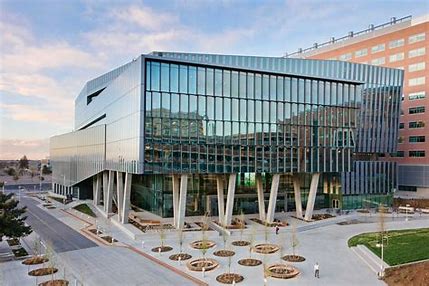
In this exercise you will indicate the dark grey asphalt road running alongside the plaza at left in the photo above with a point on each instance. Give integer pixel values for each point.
(59, 235)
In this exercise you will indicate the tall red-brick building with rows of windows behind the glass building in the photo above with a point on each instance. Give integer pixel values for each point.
(403, 44)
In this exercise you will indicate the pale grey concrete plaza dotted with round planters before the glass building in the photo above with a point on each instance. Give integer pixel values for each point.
(131, 262)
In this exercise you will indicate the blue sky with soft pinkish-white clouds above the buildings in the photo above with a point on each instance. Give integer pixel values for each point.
(50, 48)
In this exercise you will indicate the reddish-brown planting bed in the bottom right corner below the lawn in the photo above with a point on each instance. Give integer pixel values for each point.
(411, 274)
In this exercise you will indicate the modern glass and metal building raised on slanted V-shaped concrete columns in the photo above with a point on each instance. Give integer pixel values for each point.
(171, 132)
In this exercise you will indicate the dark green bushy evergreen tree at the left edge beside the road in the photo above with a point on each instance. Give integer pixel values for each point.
(12, 221)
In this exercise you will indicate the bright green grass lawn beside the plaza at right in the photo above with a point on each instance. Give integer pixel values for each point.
(402, 246)
